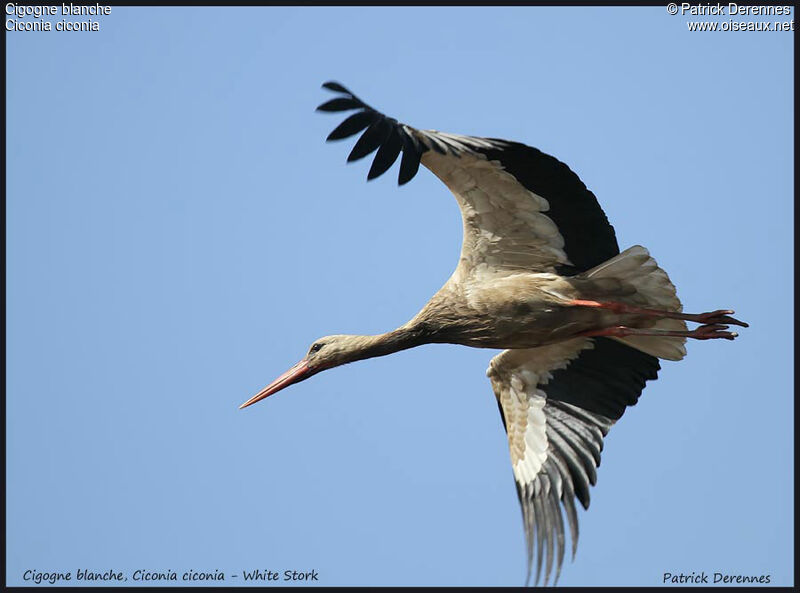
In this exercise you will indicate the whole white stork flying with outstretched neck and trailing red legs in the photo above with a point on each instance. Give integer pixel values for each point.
(541, 276)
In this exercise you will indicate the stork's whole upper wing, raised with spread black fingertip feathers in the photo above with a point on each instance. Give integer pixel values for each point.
(522, 209)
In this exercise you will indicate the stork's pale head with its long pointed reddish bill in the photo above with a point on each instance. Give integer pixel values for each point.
(325, 353)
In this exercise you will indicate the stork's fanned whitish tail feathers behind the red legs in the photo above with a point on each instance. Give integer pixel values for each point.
(635, 267)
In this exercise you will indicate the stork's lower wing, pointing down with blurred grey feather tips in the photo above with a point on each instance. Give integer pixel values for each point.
(557, 403)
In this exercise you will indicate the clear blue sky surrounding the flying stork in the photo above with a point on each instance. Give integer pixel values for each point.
(179, 233)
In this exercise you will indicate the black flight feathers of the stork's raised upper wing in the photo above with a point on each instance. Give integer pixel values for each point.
(588, 238)
